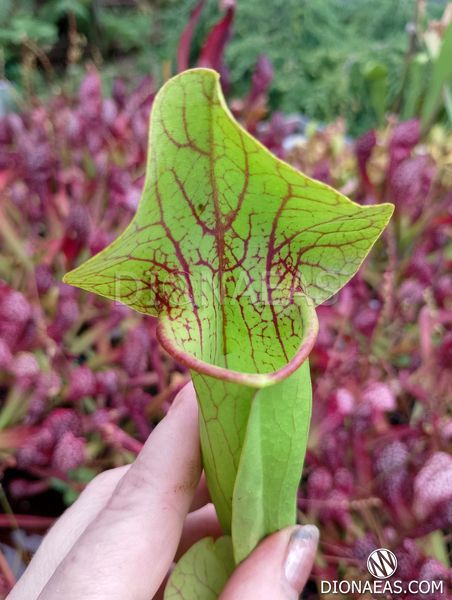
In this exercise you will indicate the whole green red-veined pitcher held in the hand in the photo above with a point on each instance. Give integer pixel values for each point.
(232, 249)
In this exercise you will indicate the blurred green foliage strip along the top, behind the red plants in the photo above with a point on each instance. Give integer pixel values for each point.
(331, 57)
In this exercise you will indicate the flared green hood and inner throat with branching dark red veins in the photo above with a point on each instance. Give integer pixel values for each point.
(228, 242)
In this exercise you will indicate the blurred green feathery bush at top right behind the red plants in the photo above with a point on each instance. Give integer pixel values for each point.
(331, 57)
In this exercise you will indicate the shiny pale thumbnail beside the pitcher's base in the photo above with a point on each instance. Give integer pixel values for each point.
(300, 553)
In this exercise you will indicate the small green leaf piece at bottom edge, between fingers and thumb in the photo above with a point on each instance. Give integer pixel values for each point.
(202, 572)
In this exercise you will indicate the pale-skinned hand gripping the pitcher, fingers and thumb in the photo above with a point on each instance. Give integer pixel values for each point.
(119, 540)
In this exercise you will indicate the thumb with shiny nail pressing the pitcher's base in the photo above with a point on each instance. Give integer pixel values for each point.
(277, 569)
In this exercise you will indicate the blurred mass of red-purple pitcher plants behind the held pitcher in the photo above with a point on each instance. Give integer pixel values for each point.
(88, 378)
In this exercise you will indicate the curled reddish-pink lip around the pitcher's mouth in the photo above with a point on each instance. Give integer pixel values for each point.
(309, 326)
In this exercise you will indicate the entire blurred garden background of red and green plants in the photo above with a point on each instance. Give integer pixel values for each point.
(356, 93)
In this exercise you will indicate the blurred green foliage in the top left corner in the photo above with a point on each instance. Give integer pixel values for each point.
(41, 42)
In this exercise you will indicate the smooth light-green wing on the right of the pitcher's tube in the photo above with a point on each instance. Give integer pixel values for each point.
(271, 461)
